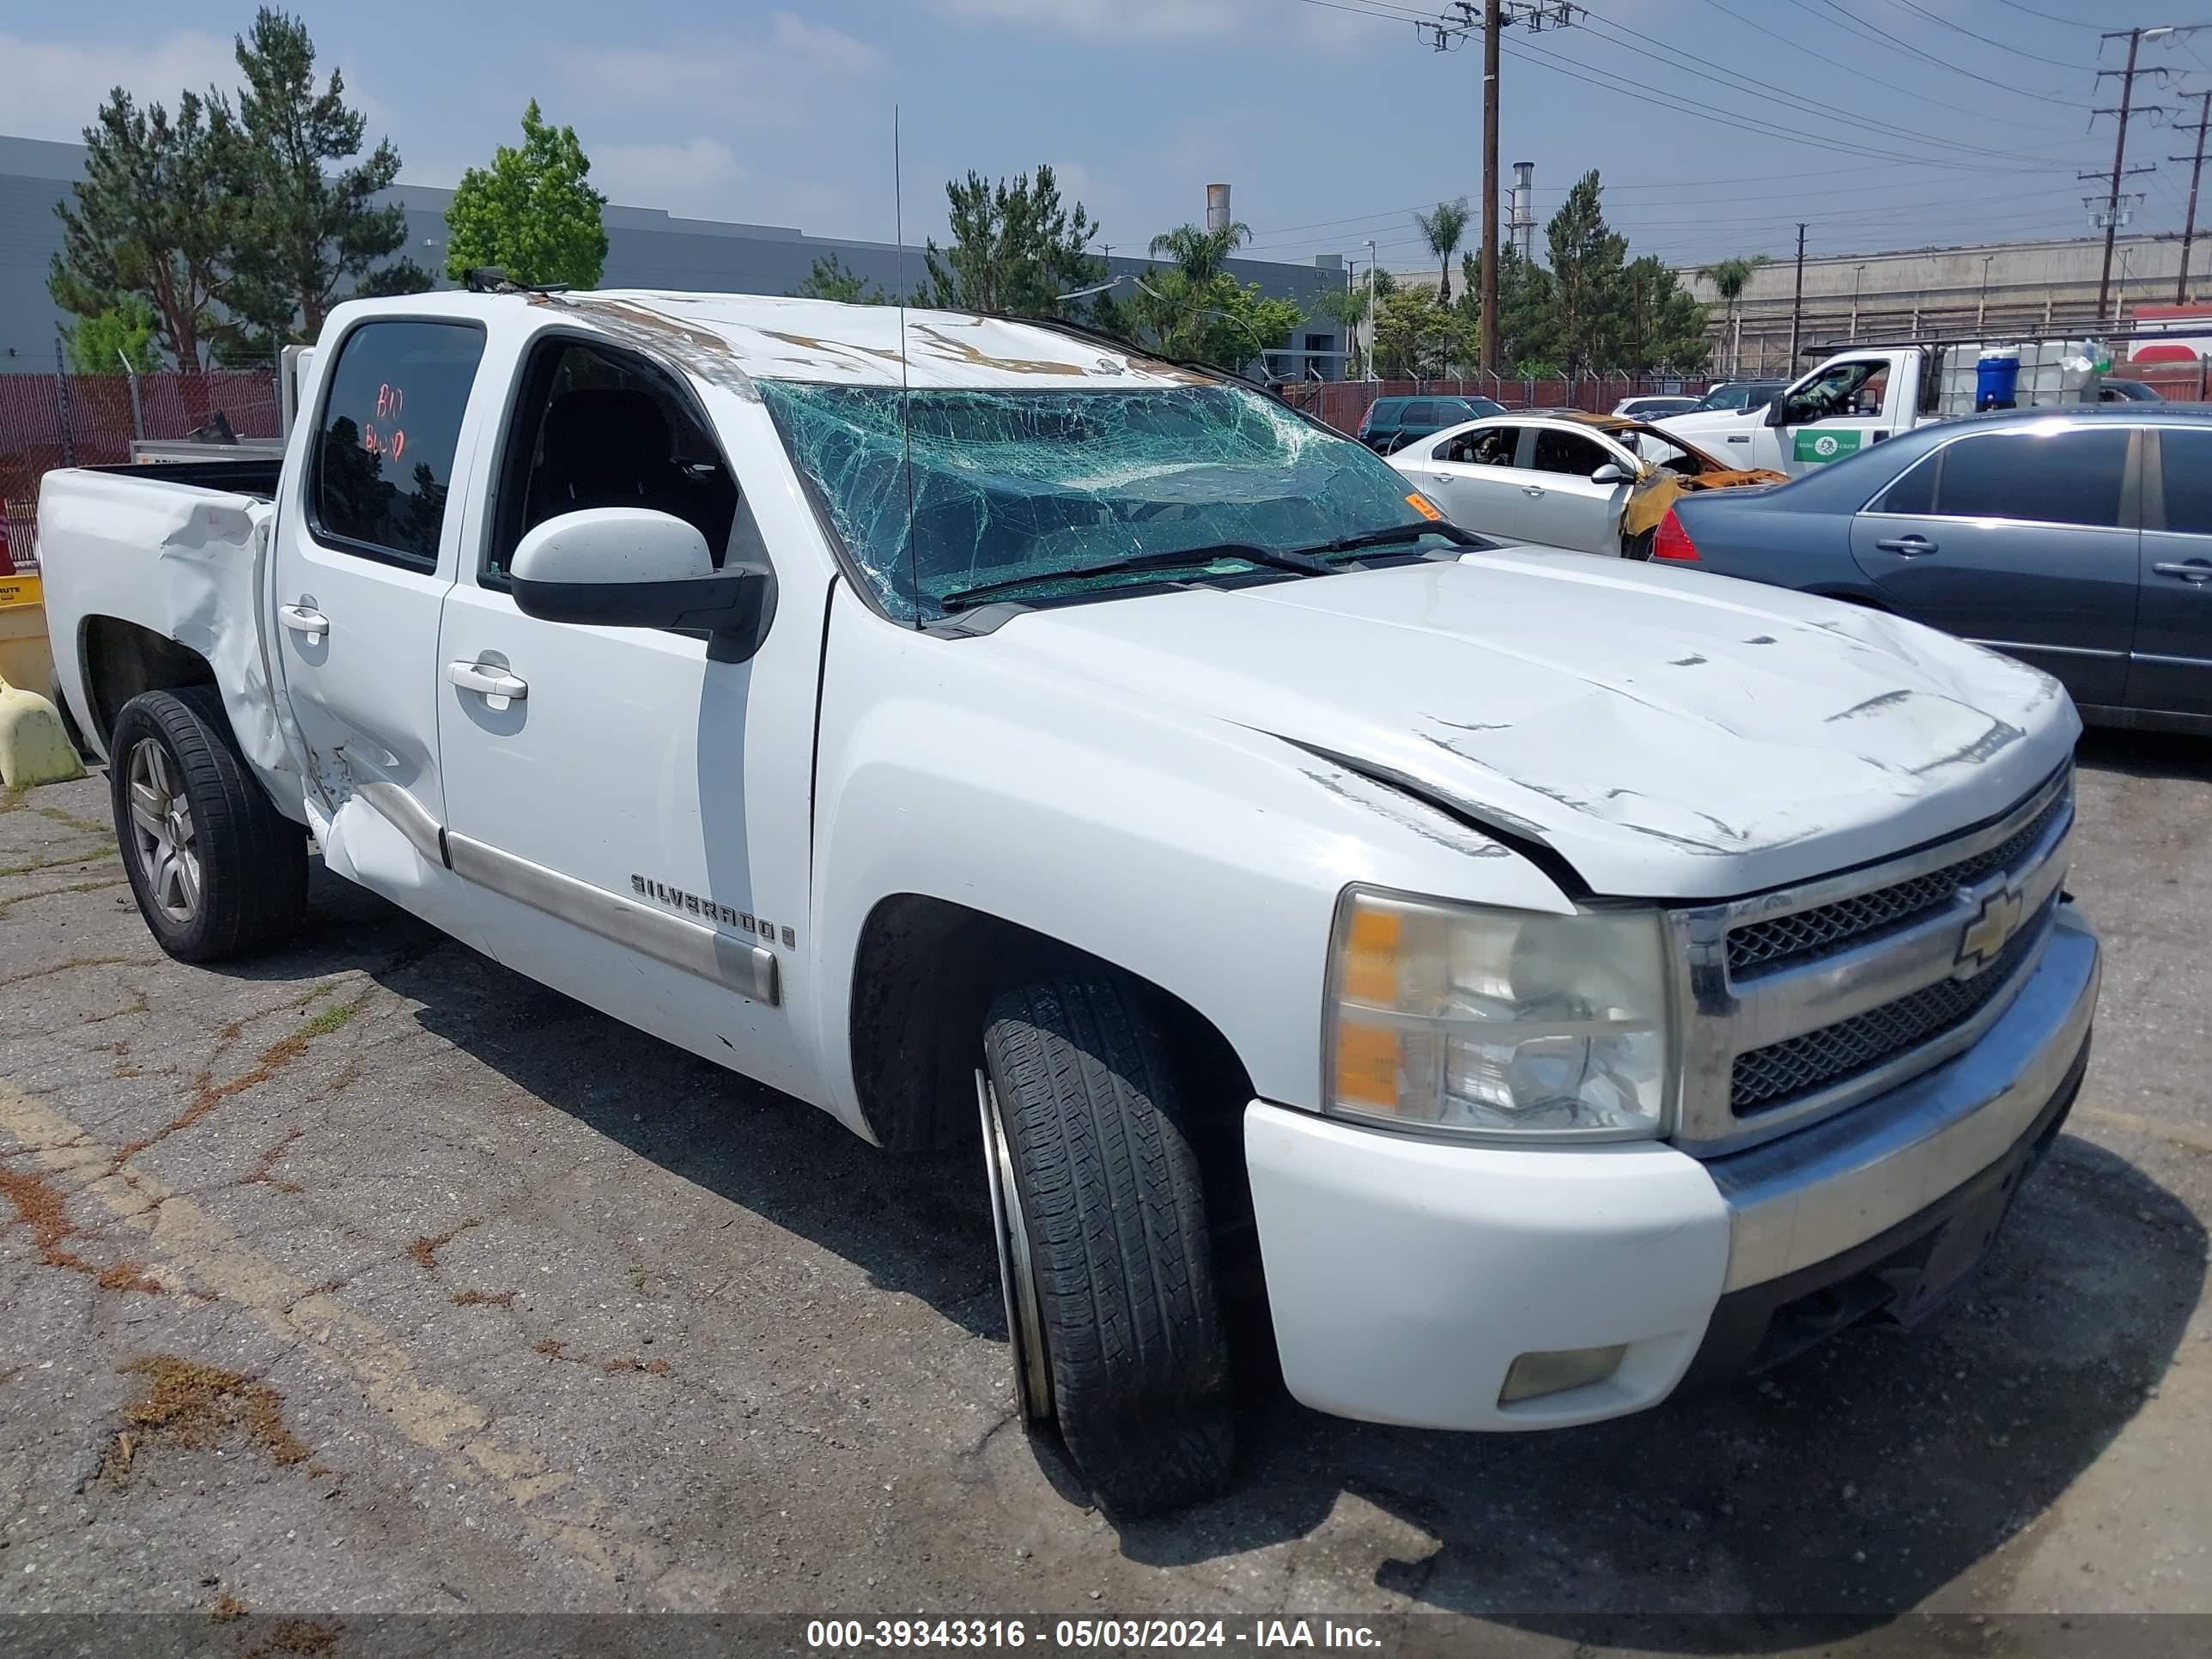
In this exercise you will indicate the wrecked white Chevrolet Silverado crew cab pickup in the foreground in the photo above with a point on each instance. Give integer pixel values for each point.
(1563, 981)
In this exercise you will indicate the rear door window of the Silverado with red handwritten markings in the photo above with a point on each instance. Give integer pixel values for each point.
(384, 459)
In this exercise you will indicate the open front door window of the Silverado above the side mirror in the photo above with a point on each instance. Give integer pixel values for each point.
(603, 430)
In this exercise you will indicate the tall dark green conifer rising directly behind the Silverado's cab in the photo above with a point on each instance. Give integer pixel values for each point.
(309, 231)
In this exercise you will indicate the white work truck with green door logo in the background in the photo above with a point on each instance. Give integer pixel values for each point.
(1877, 390)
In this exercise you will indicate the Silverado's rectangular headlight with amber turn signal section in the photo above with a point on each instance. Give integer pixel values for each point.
(1496, 1023)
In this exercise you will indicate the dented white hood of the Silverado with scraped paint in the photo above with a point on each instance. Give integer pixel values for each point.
(1669, 733)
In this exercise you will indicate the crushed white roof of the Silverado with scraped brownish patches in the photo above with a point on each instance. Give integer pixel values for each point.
(817, 340)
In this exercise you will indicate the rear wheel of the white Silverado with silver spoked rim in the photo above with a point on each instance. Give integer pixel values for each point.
(251, 864)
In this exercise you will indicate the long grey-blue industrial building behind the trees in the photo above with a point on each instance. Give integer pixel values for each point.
(645, 249)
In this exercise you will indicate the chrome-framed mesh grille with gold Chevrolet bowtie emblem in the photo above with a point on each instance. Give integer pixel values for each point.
(1815, 1030)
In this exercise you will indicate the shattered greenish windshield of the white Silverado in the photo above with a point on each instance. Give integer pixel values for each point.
(1043, 486)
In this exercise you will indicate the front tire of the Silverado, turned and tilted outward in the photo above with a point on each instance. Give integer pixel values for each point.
(1116, 1220)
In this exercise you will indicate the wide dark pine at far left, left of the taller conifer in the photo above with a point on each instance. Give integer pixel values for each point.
(154, 220)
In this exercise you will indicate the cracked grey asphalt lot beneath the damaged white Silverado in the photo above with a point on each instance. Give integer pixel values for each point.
(373, 1277)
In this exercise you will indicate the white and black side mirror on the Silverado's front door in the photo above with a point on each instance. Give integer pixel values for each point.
(636, 567)
